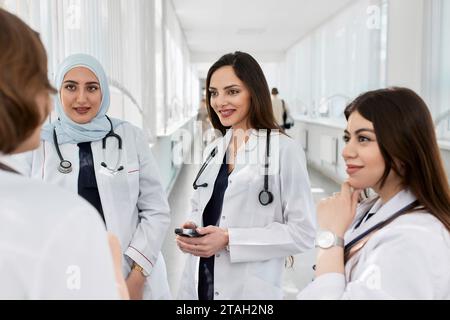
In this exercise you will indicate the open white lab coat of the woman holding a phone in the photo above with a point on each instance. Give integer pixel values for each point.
(260, 237)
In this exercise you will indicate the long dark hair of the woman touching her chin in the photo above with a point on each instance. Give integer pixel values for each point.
(407, 141)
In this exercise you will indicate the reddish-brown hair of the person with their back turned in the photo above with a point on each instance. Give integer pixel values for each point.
(23, 75)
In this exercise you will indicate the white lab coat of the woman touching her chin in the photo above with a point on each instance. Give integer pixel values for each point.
(407, 259)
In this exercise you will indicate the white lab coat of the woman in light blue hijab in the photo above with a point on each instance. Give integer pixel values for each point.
(133, 200)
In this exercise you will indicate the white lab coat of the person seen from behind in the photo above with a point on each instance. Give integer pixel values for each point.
(53, 245)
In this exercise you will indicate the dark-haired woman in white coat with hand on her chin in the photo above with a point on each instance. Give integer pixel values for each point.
(397, 243)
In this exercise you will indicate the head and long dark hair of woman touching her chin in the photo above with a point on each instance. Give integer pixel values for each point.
(391, 141)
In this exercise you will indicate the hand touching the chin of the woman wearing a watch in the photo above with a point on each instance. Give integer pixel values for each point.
(336, 213)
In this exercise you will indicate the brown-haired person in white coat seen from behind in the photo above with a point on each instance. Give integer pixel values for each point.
(53, 244)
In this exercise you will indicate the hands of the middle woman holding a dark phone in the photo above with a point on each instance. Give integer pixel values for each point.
(213, 240)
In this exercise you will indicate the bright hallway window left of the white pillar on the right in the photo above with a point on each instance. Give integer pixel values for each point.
(338, 61)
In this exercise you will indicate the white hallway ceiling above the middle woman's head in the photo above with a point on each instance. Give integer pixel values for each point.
(266, 28)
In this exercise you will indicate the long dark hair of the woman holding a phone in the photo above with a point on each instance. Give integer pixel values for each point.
(250, 73)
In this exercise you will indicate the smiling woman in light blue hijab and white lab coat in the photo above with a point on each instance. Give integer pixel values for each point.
(120, 179)
